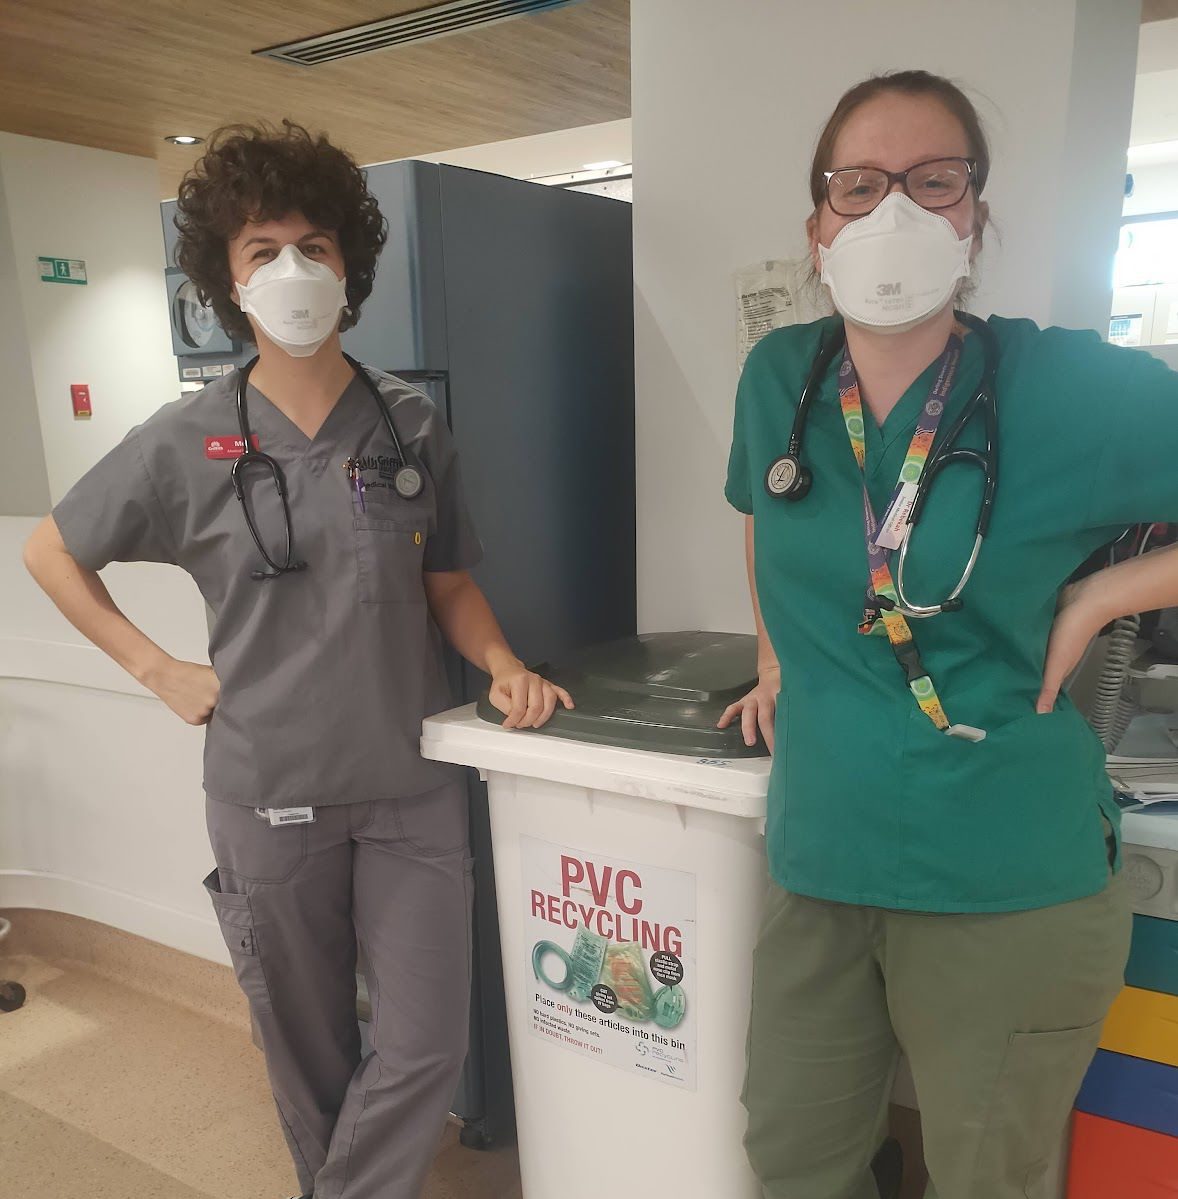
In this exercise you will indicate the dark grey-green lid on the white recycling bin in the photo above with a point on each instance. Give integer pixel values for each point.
(662, 692)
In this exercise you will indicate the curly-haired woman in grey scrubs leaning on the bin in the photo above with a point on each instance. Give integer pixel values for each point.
(329, 829)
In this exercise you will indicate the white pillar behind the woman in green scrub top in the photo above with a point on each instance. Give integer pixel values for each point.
(748, 86)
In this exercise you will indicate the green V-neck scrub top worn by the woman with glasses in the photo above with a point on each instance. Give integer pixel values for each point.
(869, 804)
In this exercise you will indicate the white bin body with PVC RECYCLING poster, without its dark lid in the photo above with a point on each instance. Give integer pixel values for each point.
(630, 885)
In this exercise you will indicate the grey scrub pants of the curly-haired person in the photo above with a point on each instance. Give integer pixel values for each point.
(294, 902)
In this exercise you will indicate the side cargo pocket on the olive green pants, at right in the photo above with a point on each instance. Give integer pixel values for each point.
(1041, 1079)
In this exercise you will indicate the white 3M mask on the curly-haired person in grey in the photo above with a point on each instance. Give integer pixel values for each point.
(296, 302)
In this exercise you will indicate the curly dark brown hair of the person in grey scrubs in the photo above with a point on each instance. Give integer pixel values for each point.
(262, 173)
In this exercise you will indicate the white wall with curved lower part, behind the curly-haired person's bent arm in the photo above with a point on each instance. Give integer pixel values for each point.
(101, 805)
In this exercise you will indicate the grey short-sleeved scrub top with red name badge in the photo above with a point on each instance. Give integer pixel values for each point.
(326, 674)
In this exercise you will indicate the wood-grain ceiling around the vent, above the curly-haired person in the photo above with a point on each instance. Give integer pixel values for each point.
(122, 75)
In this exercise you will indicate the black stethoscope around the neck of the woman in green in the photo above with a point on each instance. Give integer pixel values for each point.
(789, 479)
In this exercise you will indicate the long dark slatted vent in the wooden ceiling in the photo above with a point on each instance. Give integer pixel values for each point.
(423, 26)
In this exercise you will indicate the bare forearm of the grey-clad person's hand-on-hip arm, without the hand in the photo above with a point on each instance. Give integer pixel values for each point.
(85, 601)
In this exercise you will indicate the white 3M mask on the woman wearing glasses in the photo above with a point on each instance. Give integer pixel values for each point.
(895, 267)
